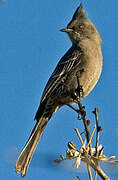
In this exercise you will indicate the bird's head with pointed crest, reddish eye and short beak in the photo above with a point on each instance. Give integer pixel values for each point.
(80, 27)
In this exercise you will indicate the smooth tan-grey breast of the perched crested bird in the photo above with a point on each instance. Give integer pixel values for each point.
(92, 69)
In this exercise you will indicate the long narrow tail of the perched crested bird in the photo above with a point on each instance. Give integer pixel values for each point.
(25, 157)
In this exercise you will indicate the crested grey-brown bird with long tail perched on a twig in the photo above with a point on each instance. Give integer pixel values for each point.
(83, 63)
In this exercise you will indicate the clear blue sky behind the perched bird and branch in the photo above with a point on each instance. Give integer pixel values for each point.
(30, 47)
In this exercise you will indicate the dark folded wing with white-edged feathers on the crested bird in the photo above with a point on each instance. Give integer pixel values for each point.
(65, 65)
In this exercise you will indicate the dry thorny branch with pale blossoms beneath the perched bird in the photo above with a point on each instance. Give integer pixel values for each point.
(87, 153)
